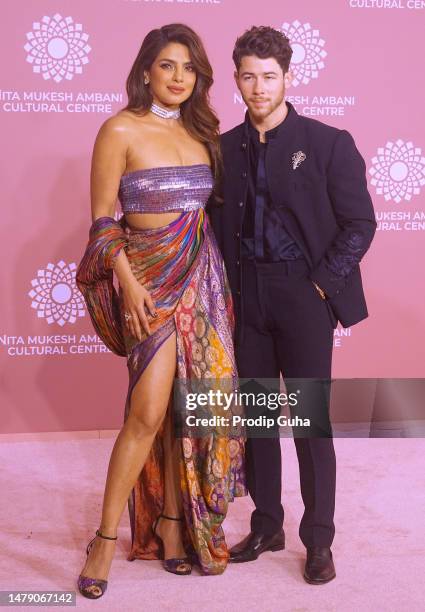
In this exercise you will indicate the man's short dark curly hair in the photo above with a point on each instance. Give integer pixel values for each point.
(263, 42)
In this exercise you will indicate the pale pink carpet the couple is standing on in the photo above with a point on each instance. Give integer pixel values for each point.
(51, 501)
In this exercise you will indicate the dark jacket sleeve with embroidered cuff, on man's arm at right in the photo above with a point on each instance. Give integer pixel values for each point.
(353, 209)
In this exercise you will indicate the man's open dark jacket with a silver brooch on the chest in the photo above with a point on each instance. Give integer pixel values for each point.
(324, 205)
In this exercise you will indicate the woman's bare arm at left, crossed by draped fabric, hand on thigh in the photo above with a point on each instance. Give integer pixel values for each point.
(108, 165)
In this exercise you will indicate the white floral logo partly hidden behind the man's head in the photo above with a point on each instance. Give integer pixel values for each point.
(308, 52)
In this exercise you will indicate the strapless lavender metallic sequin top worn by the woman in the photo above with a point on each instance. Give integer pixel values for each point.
(166, 189)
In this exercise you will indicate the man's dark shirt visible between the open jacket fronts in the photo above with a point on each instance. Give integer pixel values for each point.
(264, 238)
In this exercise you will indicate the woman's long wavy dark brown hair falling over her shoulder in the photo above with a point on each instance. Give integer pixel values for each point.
(198, 117)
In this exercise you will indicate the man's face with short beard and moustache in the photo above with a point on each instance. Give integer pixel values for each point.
(262, 84)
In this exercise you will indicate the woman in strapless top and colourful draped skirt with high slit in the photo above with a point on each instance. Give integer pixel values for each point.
(173, 315)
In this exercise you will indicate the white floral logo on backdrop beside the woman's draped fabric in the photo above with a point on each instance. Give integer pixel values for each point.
(55, 295)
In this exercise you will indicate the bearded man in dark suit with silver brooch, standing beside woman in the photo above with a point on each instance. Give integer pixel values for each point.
(296, 221)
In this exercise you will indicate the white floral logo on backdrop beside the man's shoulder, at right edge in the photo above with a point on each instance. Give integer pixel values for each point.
(398, 171)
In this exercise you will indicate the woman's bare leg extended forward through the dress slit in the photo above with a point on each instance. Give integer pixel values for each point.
(148, 408)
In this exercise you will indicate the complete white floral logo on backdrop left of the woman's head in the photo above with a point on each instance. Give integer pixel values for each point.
(57, 48)
